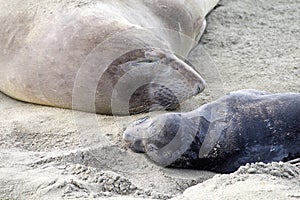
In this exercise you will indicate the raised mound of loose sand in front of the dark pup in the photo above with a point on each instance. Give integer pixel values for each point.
(259, 181)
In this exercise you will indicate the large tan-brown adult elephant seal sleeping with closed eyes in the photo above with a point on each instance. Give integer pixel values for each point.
(72, 54)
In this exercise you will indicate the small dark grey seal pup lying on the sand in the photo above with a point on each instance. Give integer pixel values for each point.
(243, 127)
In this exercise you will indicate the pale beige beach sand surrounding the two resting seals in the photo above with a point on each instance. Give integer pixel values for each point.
(51, 153)
